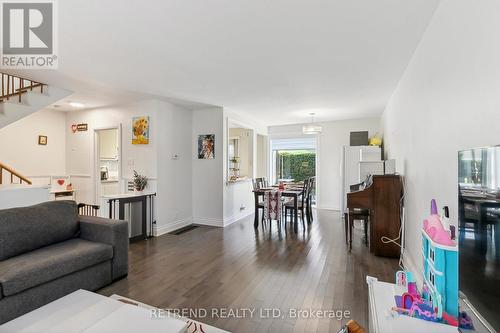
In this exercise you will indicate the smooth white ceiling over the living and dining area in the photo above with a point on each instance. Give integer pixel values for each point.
(276, 61)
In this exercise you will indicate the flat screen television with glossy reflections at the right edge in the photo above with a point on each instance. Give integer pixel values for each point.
(479, 236)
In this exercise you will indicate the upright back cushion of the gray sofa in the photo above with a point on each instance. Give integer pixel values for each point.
(29, 228)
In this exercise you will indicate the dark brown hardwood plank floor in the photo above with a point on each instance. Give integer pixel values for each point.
(236, 267)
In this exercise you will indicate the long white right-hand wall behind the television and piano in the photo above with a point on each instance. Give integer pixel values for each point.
(447, 100)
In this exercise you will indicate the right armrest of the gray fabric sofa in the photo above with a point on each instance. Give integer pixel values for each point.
(112, 232)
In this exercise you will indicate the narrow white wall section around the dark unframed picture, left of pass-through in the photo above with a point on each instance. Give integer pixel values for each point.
(207, 175)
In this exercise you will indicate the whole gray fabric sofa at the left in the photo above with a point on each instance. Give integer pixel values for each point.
(48, 251)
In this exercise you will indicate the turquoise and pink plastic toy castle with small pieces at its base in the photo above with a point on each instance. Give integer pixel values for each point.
(438, 301)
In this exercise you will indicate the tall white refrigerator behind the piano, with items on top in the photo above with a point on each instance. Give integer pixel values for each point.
(357, 163)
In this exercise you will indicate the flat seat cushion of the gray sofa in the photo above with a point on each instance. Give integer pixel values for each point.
(49, 263)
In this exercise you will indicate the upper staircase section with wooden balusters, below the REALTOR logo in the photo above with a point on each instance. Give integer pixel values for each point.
(21, 97)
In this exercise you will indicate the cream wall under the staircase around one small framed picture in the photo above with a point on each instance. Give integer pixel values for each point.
(19, 147)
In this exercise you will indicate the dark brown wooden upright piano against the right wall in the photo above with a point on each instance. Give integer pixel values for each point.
(381, 195)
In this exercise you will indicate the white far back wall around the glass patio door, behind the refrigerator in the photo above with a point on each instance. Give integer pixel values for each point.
(334, 136)
